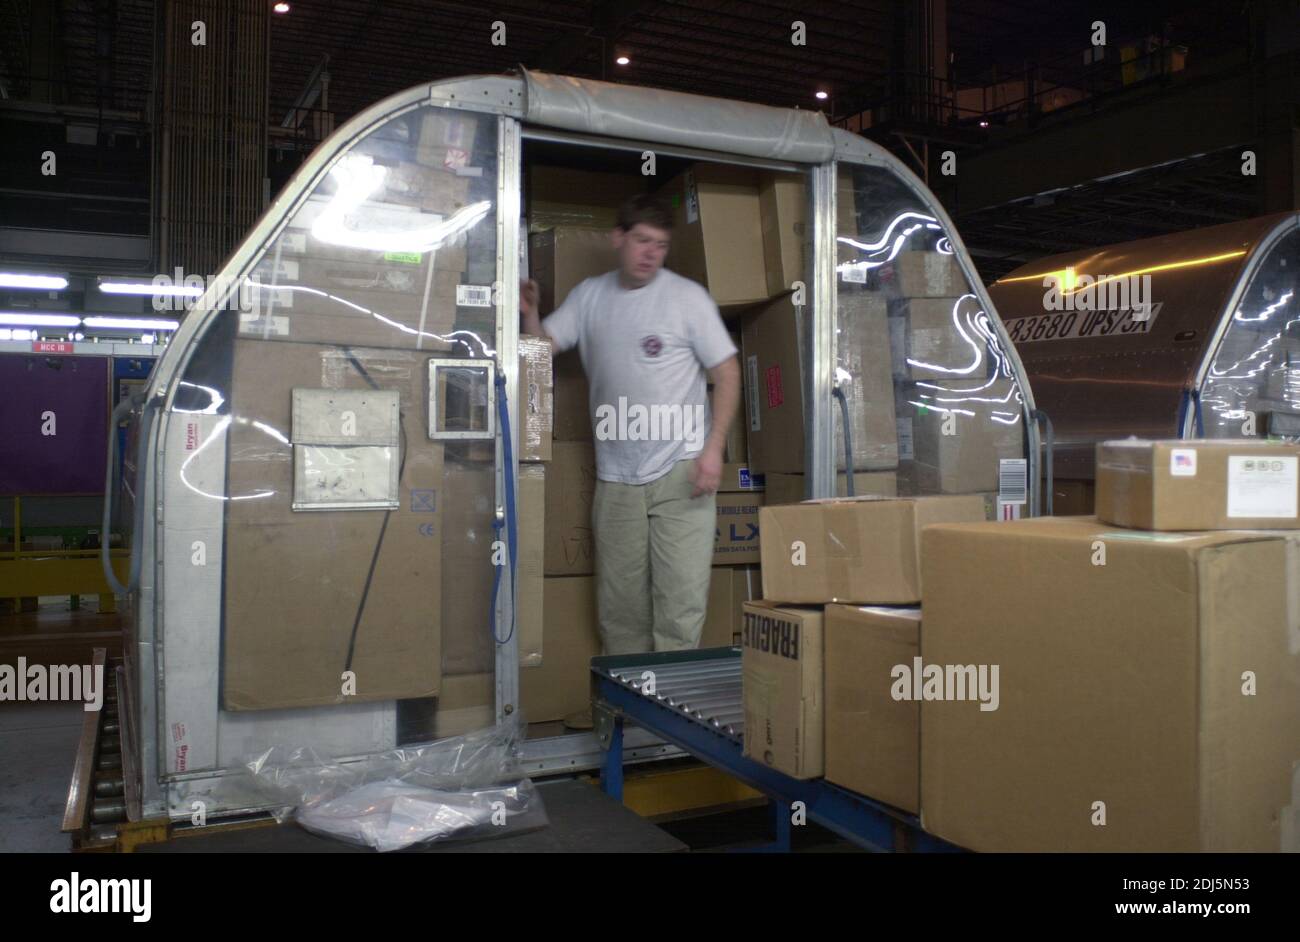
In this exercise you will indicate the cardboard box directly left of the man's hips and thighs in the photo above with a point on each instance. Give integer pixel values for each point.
(571, 487)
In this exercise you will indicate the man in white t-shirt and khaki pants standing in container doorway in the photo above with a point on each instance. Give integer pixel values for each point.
(648, 338)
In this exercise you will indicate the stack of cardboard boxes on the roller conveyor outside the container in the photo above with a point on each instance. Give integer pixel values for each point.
(1123, 683)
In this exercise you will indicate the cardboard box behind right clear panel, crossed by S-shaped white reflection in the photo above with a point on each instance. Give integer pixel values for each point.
(935, 338)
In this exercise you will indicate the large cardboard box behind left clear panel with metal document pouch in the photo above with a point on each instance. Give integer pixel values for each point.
(296, 581)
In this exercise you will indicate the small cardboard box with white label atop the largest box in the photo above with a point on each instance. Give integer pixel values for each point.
(1199, 485)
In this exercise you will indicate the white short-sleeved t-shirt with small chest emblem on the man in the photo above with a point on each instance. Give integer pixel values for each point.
(645, 353)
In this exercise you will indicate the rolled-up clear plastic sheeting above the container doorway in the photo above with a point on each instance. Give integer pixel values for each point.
(635, 114)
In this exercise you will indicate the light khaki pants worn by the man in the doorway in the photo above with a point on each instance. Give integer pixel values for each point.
(655, 548)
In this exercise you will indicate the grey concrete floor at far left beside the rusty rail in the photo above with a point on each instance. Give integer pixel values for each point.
(38, 748)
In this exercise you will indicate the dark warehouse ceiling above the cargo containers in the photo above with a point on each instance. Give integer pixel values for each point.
(103, 53)
